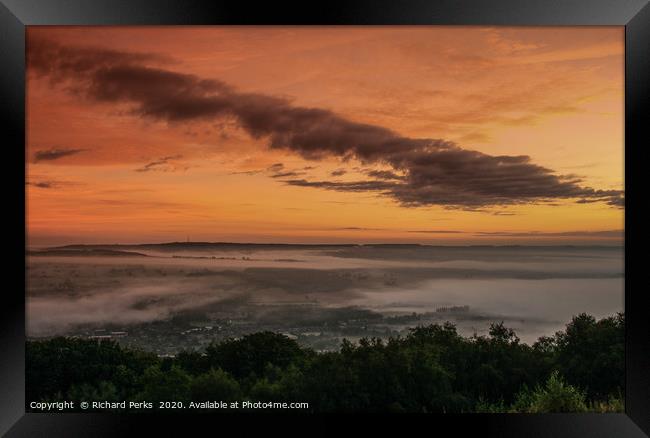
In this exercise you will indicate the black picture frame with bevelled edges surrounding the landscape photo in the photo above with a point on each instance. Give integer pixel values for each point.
(16, 14)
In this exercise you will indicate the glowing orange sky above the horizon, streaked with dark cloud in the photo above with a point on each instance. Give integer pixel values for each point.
(101, 168)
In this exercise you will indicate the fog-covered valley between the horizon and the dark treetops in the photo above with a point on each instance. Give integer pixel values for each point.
(177, 296)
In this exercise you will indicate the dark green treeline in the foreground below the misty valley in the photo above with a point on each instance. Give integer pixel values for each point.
(432, 369)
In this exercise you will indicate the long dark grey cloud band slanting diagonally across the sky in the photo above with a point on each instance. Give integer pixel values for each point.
(435, 171)
